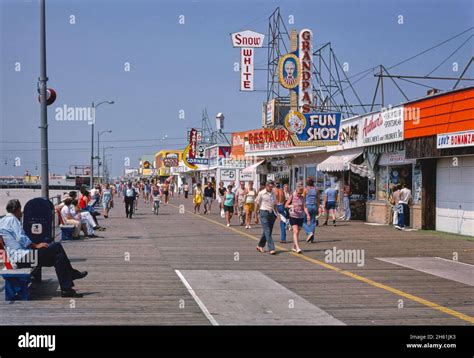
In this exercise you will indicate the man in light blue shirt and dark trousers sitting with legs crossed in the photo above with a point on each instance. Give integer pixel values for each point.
(18, 244)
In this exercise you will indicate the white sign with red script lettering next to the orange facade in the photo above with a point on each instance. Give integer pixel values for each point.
(383, 127)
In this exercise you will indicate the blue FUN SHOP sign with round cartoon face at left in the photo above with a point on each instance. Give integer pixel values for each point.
(313, 129)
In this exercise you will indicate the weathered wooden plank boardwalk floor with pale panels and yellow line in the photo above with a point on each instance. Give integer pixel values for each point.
(182, 269)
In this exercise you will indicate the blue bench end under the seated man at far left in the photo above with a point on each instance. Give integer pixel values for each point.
(17, 281)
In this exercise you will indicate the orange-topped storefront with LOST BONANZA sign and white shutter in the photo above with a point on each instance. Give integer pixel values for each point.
(442, 142)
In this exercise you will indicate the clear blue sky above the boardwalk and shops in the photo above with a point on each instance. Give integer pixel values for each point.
(189, 66)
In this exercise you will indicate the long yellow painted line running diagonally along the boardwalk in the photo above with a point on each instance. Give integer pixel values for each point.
(355, 276)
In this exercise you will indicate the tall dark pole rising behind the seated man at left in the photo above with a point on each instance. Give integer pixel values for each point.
(43, 79)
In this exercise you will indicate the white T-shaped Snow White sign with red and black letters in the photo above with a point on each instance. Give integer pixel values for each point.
(247, 41)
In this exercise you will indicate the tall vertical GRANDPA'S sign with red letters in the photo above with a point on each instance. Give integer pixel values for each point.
(306, 59)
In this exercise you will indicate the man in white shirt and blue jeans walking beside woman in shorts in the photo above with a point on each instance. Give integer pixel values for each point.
(267, 208)
